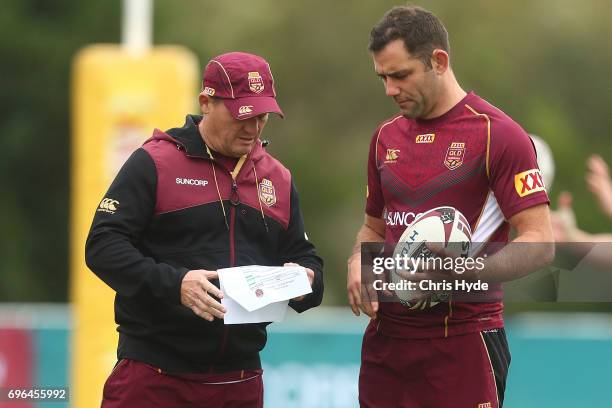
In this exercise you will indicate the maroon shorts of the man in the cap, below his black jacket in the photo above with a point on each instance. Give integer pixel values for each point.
(135, 384)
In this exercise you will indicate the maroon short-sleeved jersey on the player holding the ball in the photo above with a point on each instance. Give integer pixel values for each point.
(474, 158)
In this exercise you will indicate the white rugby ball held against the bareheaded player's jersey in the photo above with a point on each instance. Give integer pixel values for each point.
(445, 226)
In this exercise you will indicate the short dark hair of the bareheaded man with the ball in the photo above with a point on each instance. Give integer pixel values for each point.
(420, 30)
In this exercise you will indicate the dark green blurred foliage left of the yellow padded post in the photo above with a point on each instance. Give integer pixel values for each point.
(37, 42)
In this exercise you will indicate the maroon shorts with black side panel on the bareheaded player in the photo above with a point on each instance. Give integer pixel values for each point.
(467, 371)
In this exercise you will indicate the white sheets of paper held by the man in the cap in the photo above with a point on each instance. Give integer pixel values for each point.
(260, 293)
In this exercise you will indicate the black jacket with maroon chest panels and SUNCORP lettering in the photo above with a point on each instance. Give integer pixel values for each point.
(162, 217)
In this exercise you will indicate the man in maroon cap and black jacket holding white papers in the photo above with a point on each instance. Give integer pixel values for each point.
(190, 201)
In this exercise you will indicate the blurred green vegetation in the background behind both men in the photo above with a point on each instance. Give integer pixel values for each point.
(544, 62)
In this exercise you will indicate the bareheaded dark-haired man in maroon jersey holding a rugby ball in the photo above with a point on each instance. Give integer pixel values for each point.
(446, 148)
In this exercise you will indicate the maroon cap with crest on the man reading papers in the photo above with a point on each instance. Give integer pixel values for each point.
(244, 82)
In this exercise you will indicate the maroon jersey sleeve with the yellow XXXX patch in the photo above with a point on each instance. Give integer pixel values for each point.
(514, 175)
